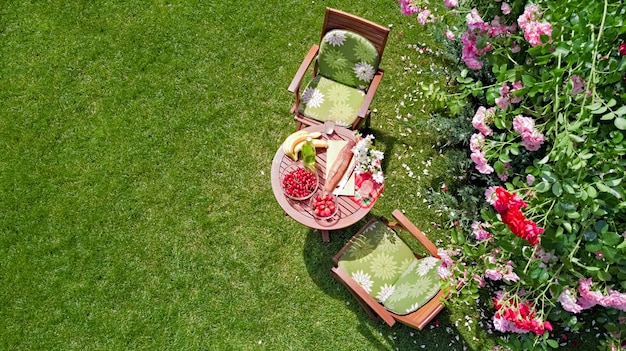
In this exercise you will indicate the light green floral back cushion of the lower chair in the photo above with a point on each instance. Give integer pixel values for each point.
(417, 285)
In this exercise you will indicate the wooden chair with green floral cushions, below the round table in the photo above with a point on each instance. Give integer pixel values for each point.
(387, 278)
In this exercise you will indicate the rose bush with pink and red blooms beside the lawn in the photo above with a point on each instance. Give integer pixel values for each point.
(547, 85)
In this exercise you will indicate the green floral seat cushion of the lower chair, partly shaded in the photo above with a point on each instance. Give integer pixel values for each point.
(377, 259)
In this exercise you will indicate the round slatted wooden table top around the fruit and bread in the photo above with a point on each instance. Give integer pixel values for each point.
(349, 212)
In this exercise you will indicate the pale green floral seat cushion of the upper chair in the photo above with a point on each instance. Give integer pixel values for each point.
(324, 99)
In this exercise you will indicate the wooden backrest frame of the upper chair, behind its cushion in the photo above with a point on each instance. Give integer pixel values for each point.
(375, 33)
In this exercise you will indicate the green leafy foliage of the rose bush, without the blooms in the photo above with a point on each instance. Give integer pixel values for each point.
(578, 195)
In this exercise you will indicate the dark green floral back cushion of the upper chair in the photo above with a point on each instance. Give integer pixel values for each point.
(348, 58)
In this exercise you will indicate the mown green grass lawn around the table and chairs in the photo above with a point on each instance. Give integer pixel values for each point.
(136, 210)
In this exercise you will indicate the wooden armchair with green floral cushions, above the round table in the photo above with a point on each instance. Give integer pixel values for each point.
(346, 72)
